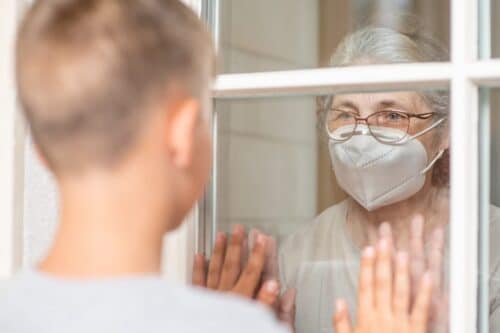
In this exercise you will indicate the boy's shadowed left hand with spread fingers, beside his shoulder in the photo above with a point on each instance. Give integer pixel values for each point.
(225, 271)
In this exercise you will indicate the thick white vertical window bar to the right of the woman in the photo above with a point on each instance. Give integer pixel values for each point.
(464, 169)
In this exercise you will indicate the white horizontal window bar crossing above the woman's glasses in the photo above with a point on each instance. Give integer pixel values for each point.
(340, 79)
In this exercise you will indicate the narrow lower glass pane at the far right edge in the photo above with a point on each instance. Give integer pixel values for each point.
(489, 210)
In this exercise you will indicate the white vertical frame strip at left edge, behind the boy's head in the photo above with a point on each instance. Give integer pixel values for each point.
(12, 135)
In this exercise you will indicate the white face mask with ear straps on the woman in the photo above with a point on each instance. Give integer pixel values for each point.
(376, 174)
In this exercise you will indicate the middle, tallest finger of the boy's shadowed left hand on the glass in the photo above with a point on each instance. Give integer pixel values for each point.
(232, 261)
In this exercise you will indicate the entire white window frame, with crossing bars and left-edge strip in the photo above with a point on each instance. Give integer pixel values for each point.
(464, 73)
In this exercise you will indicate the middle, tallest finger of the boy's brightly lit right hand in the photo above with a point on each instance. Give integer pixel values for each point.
(383, 278)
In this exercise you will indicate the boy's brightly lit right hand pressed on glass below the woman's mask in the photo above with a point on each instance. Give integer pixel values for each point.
(384, 296)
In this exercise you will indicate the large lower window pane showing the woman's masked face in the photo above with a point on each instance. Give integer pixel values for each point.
(323, 200)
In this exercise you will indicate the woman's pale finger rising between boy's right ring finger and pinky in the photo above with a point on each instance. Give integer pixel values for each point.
(417, 260)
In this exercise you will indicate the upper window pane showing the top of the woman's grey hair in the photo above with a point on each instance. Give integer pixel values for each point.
(267, 35)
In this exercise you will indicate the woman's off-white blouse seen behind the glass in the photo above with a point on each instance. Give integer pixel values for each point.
(322, 263)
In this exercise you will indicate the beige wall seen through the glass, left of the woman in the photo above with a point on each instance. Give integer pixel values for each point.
(267, 151)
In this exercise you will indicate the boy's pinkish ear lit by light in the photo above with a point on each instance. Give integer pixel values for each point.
(182, 123)
